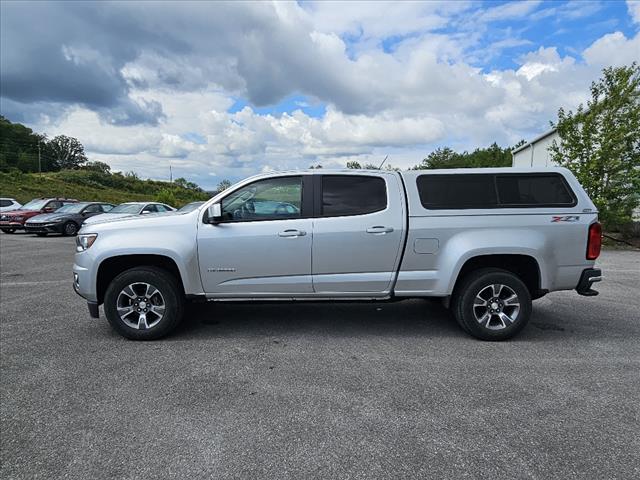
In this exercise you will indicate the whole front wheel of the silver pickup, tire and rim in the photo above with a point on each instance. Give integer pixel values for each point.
(144, 303)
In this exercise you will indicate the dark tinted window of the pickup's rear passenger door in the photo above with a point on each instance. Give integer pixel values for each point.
(352, 195)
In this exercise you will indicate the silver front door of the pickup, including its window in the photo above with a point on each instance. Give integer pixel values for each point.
(262, 247)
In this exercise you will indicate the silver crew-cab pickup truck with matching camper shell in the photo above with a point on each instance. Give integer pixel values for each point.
(486, 241)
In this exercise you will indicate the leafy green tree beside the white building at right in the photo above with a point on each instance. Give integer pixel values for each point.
(600, 143)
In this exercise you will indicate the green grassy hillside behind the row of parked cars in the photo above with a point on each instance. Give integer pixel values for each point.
(96, 186)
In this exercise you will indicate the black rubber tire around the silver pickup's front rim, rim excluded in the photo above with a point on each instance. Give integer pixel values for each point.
(171, 294)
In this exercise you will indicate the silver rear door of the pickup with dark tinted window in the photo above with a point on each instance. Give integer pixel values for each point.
(357, 234)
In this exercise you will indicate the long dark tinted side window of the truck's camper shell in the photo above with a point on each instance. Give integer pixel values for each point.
(494, 190)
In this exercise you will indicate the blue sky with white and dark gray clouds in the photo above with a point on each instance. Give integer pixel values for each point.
(226, 90)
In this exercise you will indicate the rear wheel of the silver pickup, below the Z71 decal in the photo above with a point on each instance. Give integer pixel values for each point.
(497, 327)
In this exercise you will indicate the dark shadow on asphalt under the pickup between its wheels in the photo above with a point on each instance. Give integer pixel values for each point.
(410, 317)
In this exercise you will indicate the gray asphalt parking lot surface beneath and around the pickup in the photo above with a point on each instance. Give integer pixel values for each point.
(392, 390)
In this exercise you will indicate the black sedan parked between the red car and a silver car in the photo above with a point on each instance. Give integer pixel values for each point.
(67, 219)
